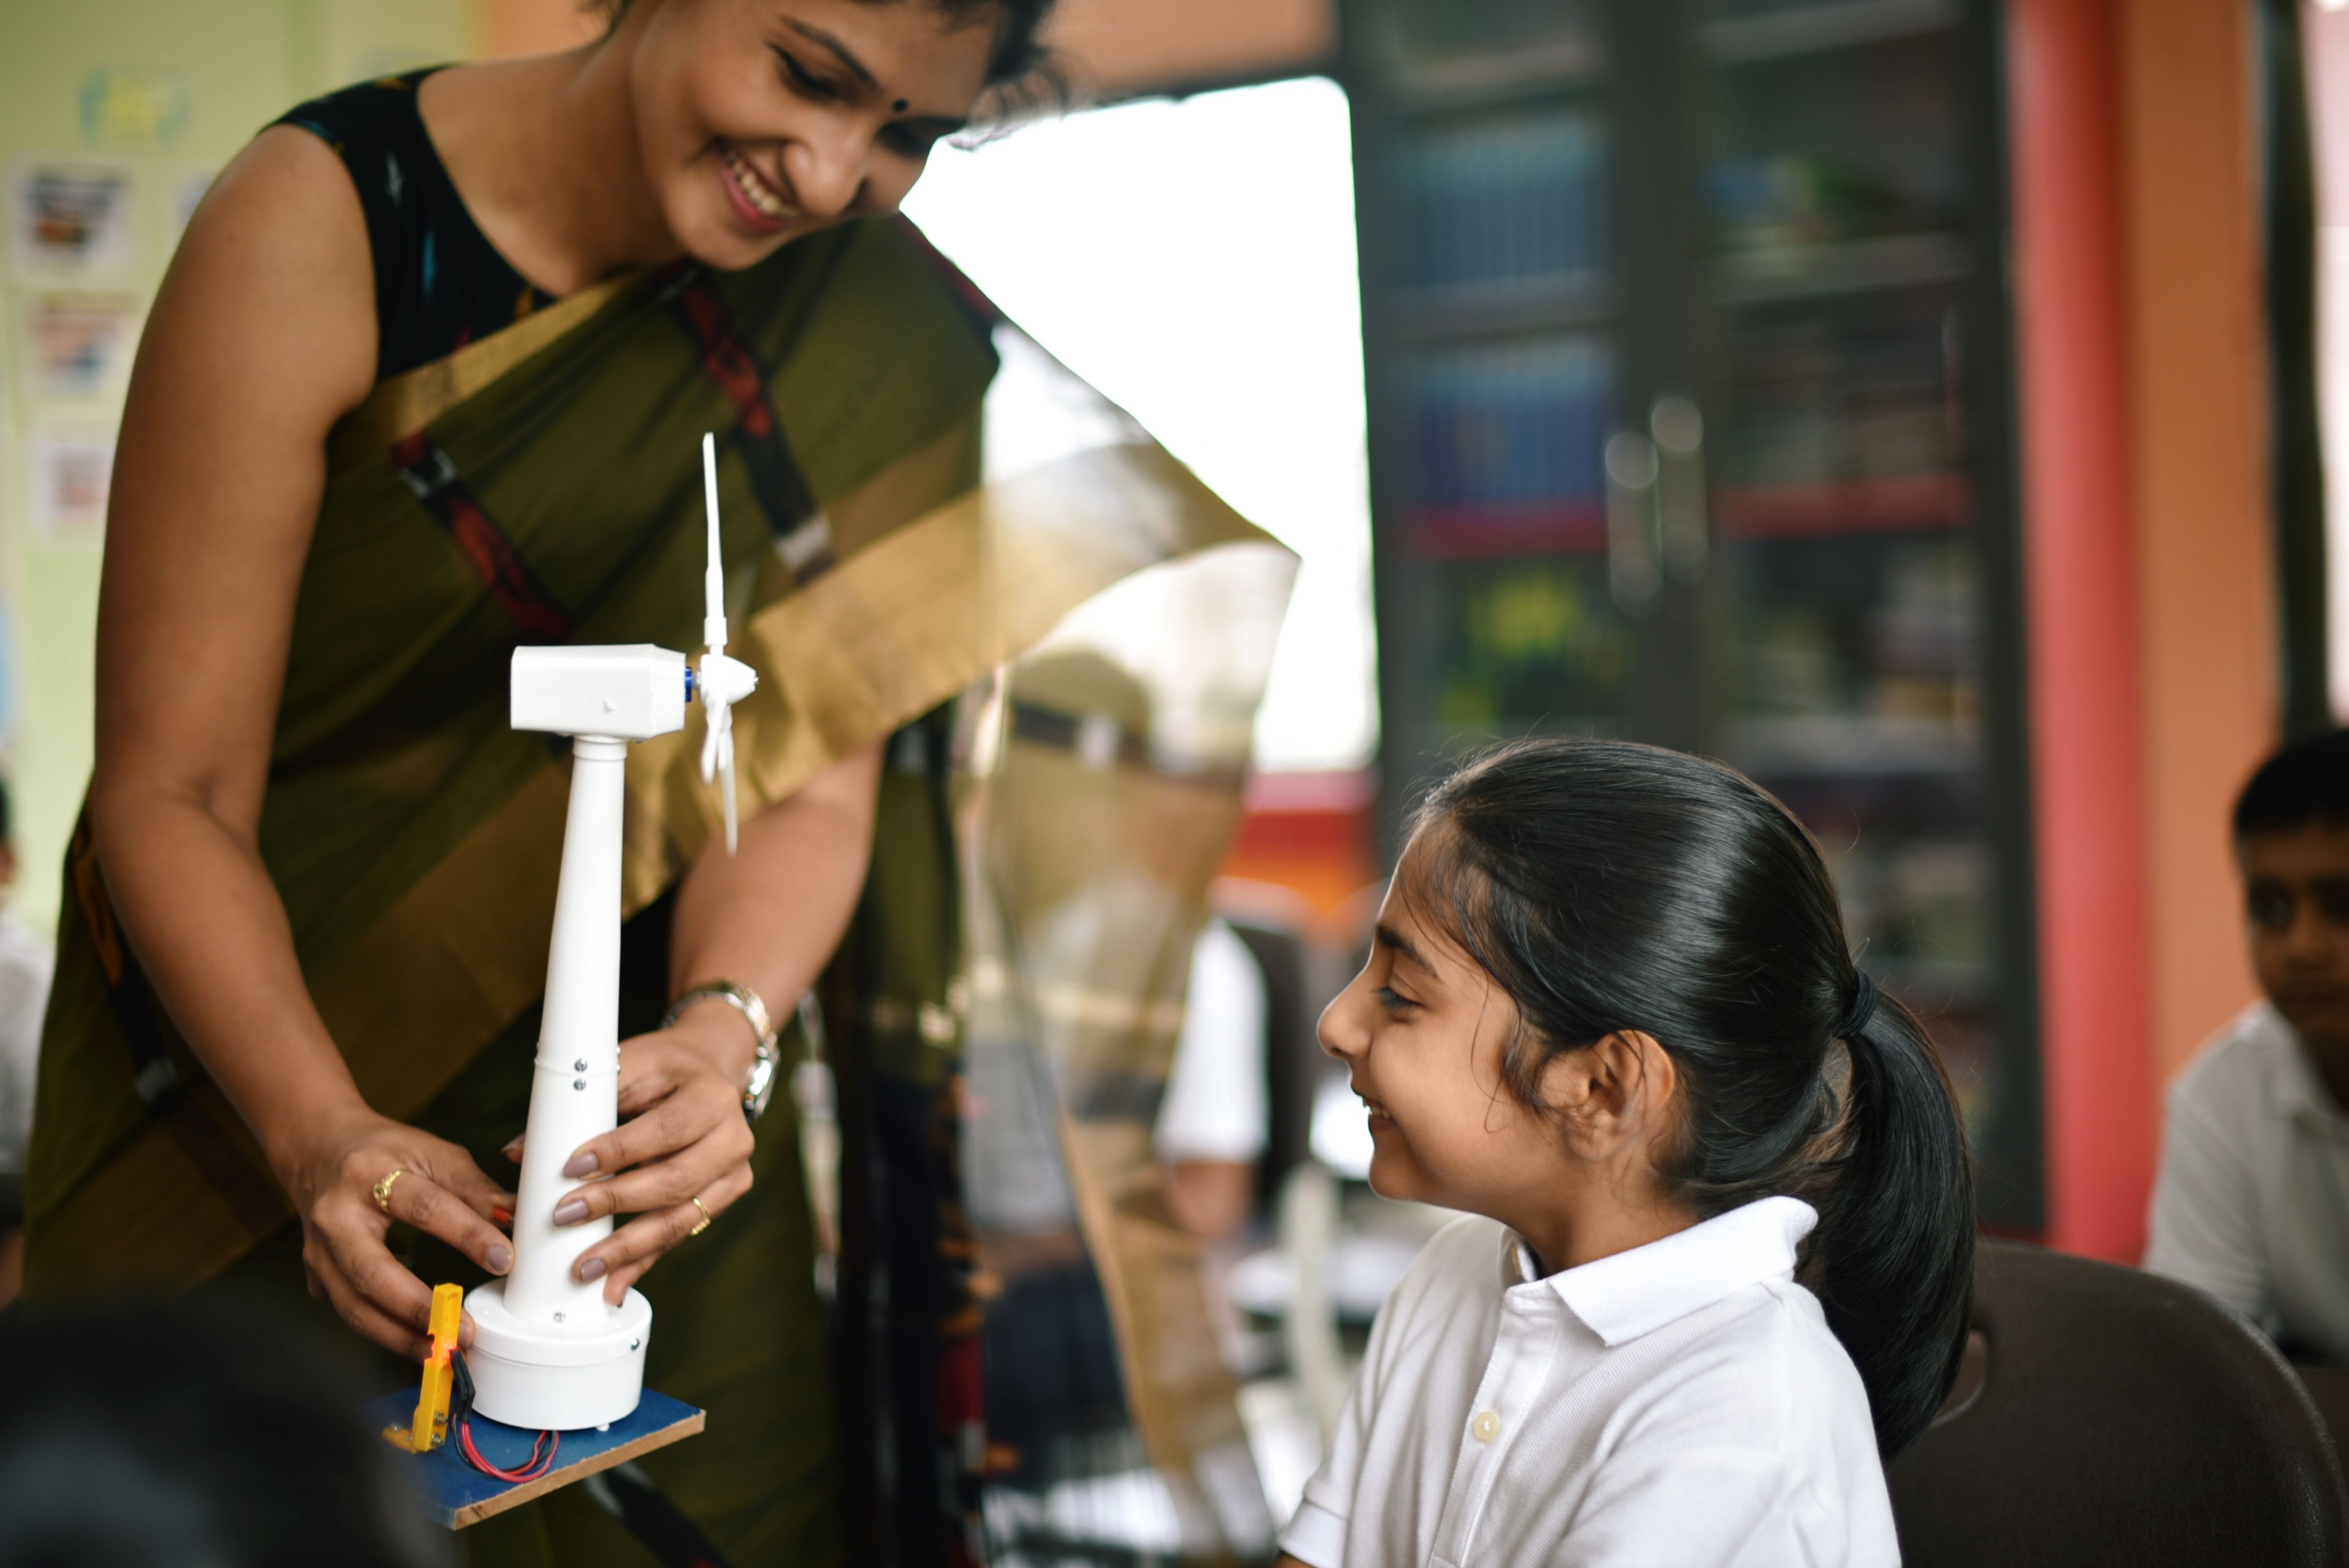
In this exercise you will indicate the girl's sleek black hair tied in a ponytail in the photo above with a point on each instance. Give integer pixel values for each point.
(1624, 887)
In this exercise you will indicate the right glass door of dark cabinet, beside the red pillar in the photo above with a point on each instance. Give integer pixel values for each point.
(1840, 253)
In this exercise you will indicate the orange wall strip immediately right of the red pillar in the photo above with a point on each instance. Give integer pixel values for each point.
(2207, 556)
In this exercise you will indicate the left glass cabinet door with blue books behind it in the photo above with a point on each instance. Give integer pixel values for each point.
(1490, 274)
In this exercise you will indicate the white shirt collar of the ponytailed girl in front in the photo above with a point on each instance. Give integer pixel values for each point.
(1662, 1282)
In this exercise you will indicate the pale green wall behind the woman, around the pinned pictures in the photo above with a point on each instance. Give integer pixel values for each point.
(241, 65)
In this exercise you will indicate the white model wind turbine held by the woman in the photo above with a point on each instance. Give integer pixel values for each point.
(548, 1351)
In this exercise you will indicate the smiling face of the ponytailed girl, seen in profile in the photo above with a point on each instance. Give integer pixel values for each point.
(1425, 1036)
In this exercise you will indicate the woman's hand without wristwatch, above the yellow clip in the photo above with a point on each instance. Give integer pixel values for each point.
(332, 1181)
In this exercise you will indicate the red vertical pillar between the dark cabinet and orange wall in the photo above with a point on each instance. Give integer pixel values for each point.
(2082, 622)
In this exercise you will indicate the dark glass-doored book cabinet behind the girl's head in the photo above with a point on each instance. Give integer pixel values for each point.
(1688, 349)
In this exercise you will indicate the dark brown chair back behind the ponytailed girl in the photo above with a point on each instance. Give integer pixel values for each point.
(2120, 1419)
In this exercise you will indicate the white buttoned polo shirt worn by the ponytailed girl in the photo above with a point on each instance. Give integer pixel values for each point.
(1681, 1405)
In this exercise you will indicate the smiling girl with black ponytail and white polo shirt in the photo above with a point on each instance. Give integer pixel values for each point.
(1721, 1217)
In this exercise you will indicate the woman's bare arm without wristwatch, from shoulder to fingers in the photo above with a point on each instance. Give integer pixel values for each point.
(262, 337)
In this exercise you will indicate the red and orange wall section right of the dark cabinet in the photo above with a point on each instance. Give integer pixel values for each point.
(2148, 556)
